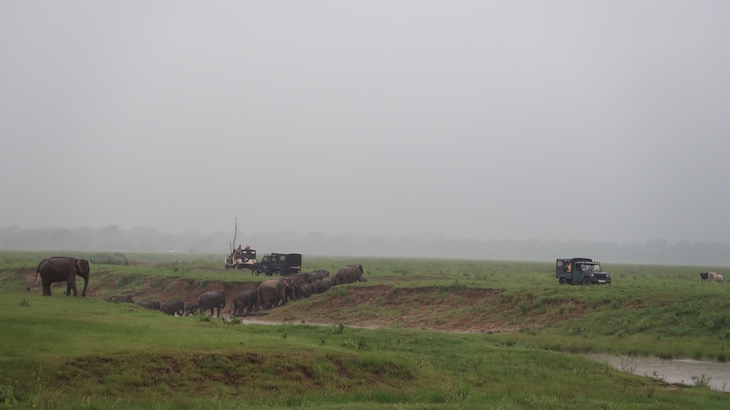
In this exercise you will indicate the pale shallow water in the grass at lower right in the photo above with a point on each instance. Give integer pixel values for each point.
(716, 374)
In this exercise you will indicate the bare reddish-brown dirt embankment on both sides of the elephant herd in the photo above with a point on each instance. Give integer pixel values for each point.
(432, 308)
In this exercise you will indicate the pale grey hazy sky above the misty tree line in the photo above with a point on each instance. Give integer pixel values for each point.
(597, 120)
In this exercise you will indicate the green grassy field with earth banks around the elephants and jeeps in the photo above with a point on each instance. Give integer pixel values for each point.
(426, 334)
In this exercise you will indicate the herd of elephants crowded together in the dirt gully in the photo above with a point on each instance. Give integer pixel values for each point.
(270, 293)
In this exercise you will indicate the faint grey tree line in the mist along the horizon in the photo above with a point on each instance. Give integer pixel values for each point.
(114, 239)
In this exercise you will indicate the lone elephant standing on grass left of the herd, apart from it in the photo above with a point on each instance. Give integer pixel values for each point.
(62, 269)
